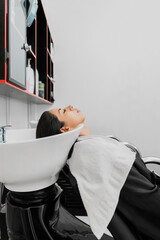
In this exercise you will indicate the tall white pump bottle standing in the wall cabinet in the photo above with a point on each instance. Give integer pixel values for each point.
(29, 77)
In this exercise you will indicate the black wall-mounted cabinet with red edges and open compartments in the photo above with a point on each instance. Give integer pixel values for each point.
(13, 58)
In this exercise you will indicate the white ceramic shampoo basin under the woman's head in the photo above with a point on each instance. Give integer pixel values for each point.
(29, 164)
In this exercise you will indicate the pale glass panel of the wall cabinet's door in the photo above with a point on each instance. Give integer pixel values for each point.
(17, 39)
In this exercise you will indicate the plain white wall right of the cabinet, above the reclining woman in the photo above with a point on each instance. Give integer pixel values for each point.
(107, 63)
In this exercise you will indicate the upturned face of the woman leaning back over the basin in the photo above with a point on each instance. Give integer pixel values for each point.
(71, 116)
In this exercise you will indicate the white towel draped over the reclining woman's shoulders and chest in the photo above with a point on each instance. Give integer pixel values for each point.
(100, 166)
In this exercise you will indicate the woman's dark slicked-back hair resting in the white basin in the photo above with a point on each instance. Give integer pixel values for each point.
(48, 125)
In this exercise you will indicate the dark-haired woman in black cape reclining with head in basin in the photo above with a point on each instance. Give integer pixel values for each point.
(137, 216)
